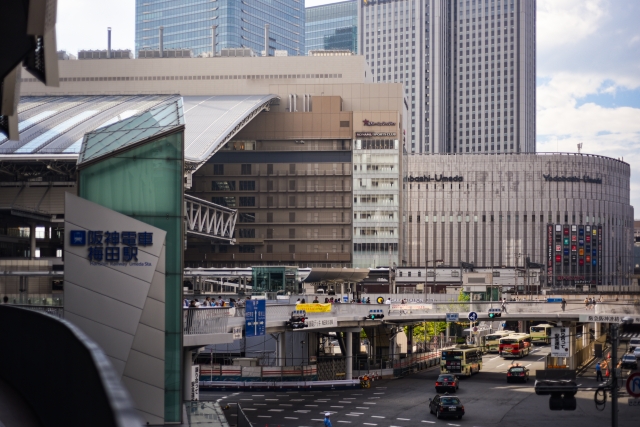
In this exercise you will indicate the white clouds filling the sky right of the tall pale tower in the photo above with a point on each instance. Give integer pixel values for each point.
(589, 48)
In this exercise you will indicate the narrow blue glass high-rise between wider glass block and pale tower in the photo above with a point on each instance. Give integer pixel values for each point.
(332, 27)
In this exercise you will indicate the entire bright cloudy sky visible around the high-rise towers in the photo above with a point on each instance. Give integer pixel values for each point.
(588, 69)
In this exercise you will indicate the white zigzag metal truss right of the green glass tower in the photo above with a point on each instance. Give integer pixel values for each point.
(208, 220)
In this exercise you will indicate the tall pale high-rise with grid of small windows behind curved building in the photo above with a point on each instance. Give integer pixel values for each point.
(468, 70)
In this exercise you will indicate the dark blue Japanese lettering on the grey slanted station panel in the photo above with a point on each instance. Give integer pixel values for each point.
(112, 247)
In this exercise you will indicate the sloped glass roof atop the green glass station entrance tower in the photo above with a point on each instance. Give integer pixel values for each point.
(112, 137)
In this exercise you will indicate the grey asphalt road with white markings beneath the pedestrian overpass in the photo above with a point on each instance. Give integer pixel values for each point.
(488, 401)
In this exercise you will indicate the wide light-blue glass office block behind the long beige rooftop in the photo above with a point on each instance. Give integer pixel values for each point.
(187, 24)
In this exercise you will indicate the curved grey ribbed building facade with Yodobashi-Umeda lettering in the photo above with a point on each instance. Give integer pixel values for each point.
(569, 212)
